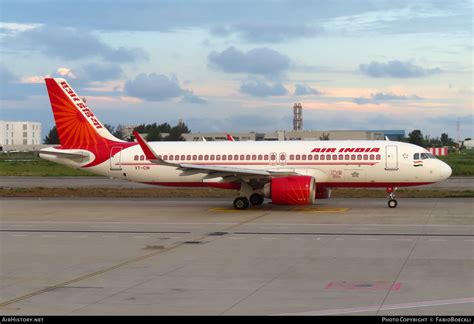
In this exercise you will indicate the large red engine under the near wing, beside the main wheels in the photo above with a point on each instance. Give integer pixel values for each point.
(292, 190)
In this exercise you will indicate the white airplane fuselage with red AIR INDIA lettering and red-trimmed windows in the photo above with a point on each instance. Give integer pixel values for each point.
(331, 163)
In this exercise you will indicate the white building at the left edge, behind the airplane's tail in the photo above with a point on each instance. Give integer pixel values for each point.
(19, 134)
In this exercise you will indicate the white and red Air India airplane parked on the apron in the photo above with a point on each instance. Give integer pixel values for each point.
(287, 172)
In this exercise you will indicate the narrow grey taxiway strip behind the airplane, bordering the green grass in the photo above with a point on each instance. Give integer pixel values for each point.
(453, 183)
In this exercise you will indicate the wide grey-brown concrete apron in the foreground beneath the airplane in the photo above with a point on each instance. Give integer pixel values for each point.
(201, 257)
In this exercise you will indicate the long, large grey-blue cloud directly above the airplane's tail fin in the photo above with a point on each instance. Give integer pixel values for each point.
(71, 44)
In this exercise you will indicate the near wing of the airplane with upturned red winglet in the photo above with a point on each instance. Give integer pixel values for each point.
(212, 171)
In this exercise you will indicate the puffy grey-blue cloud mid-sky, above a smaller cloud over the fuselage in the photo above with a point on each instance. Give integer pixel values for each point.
(262, 61)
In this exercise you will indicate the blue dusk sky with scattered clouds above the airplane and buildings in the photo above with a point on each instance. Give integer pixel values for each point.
(232, 66)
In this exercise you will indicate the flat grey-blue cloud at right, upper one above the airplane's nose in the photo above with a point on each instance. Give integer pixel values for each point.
(396, 69)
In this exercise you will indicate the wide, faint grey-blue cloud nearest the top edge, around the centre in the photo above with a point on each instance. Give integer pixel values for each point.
(267, 31)
